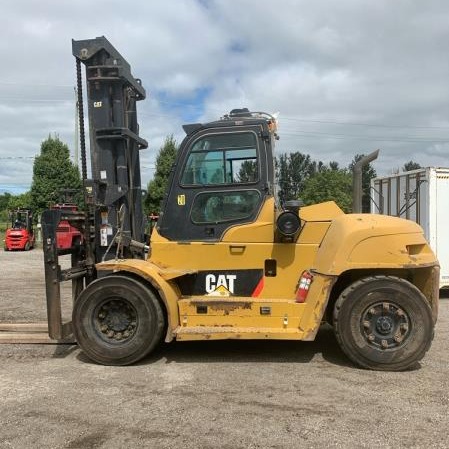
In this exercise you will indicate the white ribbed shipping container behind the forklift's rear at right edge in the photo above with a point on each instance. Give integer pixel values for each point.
(422, 196)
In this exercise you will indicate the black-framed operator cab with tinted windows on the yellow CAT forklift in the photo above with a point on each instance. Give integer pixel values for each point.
(222, 176)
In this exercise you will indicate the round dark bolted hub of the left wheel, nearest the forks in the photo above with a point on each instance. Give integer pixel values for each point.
(116, 320)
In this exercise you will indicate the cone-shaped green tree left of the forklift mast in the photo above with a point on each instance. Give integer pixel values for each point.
(52, 172)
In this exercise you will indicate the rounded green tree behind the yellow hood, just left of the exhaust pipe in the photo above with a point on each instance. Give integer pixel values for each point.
(329, 185)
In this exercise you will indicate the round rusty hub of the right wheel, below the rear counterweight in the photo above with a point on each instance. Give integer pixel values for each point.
(385, 325)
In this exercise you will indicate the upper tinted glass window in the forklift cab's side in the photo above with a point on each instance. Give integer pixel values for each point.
(222, 159)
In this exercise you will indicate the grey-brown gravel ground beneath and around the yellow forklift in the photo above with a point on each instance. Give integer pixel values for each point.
(235, 394)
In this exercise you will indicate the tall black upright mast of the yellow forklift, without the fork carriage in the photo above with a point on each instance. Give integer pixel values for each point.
(114, 192)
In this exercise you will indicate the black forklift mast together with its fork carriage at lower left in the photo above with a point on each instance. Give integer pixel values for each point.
(113, 222)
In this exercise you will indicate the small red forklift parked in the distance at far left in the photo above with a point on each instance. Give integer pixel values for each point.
(20, 236)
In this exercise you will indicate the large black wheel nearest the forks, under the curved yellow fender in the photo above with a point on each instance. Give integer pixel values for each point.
(117, 320)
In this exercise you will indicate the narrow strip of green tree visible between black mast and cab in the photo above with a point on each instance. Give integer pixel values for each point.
(158, 185)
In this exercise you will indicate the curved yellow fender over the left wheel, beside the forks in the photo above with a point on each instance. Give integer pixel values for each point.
(158, 278)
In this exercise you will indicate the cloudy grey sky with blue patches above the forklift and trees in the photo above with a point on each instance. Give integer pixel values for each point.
(346, 77)
